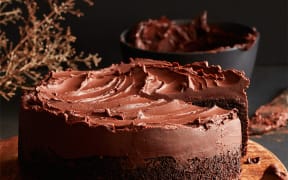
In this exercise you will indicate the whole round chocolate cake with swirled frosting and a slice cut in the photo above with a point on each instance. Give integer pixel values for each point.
(143, 120)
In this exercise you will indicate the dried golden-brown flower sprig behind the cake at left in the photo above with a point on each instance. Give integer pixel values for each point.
(44, 44)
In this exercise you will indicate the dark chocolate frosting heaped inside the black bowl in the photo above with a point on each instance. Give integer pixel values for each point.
(165, 35)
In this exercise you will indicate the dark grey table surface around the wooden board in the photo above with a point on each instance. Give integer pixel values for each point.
(266, 83)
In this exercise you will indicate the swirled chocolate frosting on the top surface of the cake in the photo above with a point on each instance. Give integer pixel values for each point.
(142, 92)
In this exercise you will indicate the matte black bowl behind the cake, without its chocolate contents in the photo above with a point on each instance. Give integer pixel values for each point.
(227, 58)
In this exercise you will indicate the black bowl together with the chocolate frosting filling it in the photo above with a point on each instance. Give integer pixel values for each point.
(230, 45)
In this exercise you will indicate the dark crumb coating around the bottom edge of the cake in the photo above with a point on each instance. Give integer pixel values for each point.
(222, 167)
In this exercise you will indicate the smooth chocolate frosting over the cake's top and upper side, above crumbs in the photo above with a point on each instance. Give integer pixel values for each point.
(144, 109)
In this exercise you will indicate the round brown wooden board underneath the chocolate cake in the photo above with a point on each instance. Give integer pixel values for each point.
(9, 167)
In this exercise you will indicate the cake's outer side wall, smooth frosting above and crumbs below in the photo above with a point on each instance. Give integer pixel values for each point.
(173, 151)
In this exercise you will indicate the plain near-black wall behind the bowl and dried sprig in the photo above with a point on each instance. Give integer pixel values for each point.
(99, 30)
